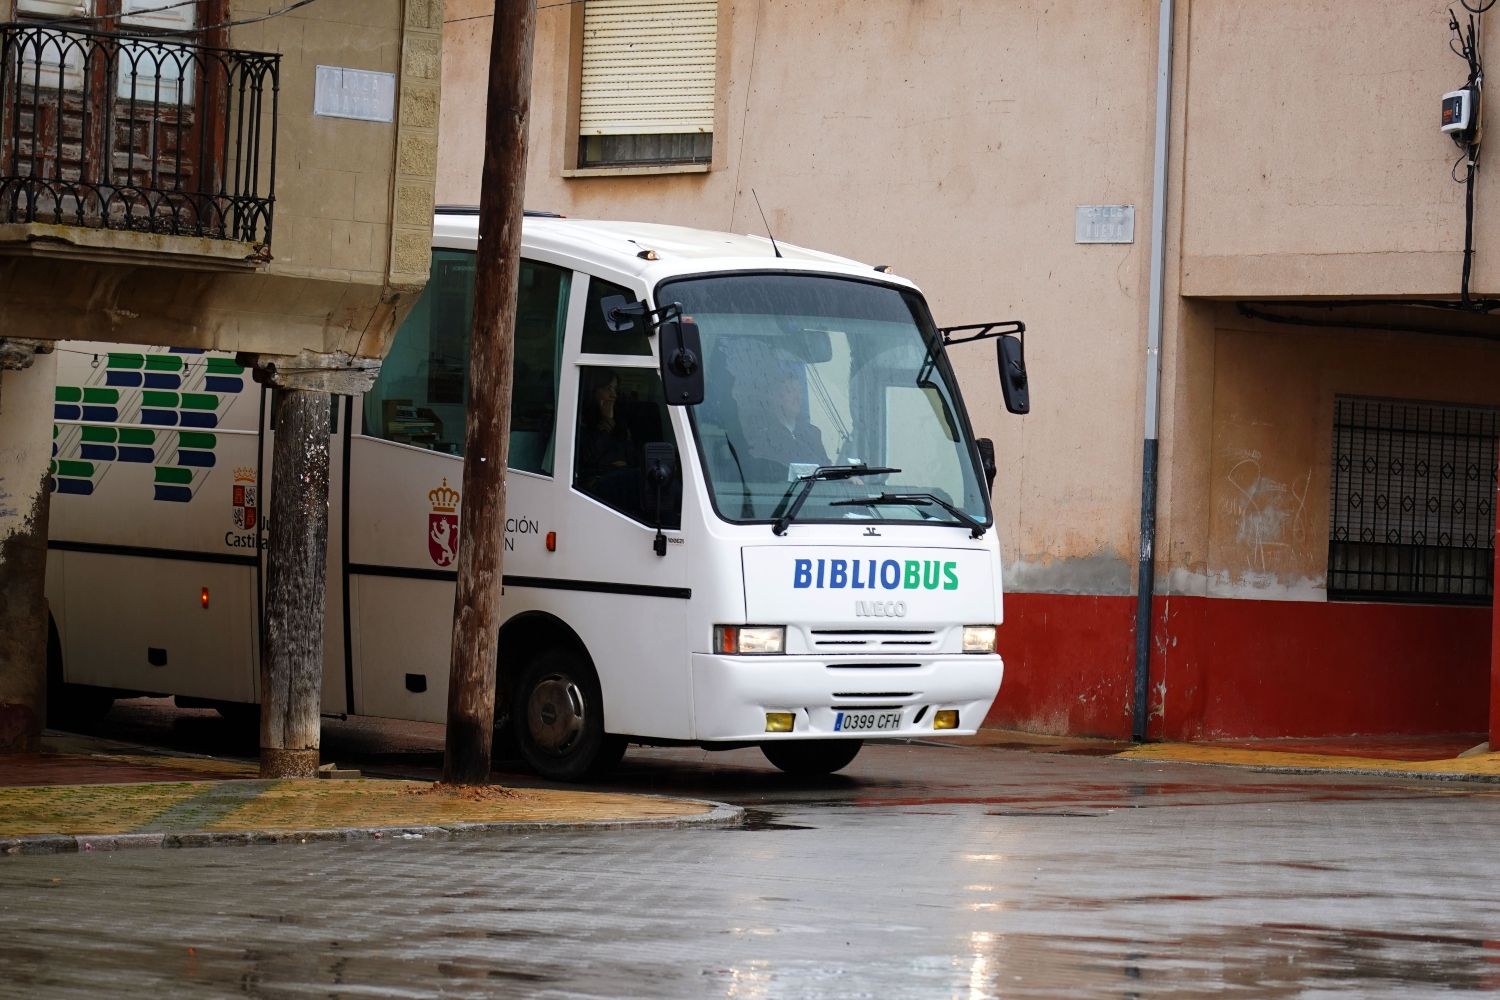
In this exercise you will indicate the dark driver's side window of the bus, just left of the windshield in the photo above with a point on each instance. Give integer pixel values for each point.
(620, 412)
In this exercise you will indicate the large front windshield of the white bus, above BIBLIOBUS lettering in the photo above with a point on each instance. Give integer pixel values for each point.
(805, 373)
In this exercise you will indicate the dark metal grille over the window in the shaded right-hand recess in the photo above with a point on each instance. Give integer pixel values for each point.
(1414, 501)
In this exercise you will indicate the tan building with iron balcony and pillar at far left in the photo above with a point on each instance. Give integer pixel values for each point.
(245, 176)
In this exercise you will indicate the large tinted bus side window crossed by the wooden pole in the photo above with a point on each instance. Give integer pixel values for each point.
(422, 391)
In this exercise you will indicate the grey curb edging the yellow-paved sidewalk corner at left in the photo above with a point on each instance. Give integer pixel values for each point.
(721, 815)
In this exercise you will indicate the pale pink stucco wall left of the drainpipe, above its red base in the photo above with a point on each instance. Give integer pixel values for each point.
(953, 142)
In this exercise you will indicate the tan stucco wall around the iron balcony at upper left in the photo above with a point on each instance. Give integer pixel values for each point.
(352, 221)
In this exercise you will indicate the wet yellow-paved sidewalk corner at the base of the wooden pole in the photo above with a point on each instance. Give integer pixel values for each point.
(83, 794)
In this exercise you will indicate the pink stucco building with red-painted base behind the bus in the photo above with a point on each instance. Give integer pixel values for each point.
(1324, 545)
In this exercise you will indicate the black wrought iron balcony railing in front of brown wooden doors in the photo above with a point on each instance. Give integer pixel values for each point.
(137, 133)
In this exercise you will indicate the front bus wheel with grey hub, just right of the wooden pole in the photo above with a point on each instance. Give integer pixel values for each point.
(559, 719)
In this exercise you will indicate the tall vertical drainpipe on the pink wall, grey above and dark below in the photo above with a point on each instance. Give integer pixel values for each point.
(1147, 570)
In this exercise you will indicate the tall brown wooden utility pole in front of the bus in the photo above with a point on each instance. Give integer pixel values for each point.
(487, 439)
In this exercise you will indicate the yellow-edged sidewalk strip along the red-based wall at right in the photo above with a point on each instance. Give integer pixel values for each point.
(1444, 758)
